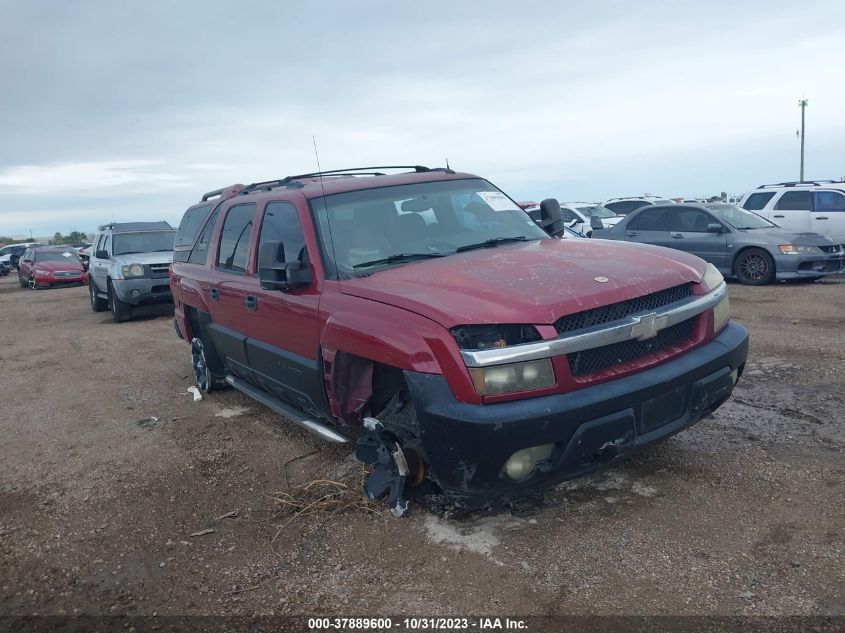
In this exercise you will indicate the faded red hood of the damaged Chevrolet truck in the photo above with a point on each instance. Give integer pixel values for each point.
(536, 282)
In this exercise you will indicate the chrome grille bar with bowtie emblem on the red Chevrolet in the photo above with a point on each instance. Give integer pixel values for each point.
(640, 326)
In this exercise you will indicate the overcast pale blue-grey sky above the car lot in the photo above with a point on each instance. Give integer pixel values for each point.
(131, 110)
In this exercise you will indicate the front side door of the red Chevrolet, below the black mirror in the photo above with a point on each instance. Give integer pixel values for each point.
(283, 330)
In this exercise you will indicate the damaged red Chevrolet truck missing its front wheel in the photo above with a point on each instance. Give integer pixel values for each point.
(424, 314)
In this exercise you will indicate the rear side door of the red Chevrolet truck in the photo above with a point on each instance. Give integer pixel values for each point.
(230, 286)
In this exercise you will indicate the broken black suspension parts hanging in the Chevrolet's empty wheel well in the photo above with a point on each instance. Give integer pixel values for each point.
(380, 449)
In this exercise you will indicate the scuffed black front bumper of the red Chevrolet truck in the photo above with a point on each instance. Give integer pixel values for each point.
(466, 445)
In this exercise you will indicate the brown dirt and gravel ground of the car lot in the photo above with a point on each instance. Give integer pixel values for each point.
(108, 467)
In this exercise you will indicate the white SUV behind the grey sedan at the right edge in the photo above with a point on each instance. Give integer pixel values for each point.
(815, 206)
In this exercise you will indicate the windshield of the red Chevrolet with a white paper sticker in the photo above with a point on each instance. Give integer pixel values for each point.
(364, 230)
